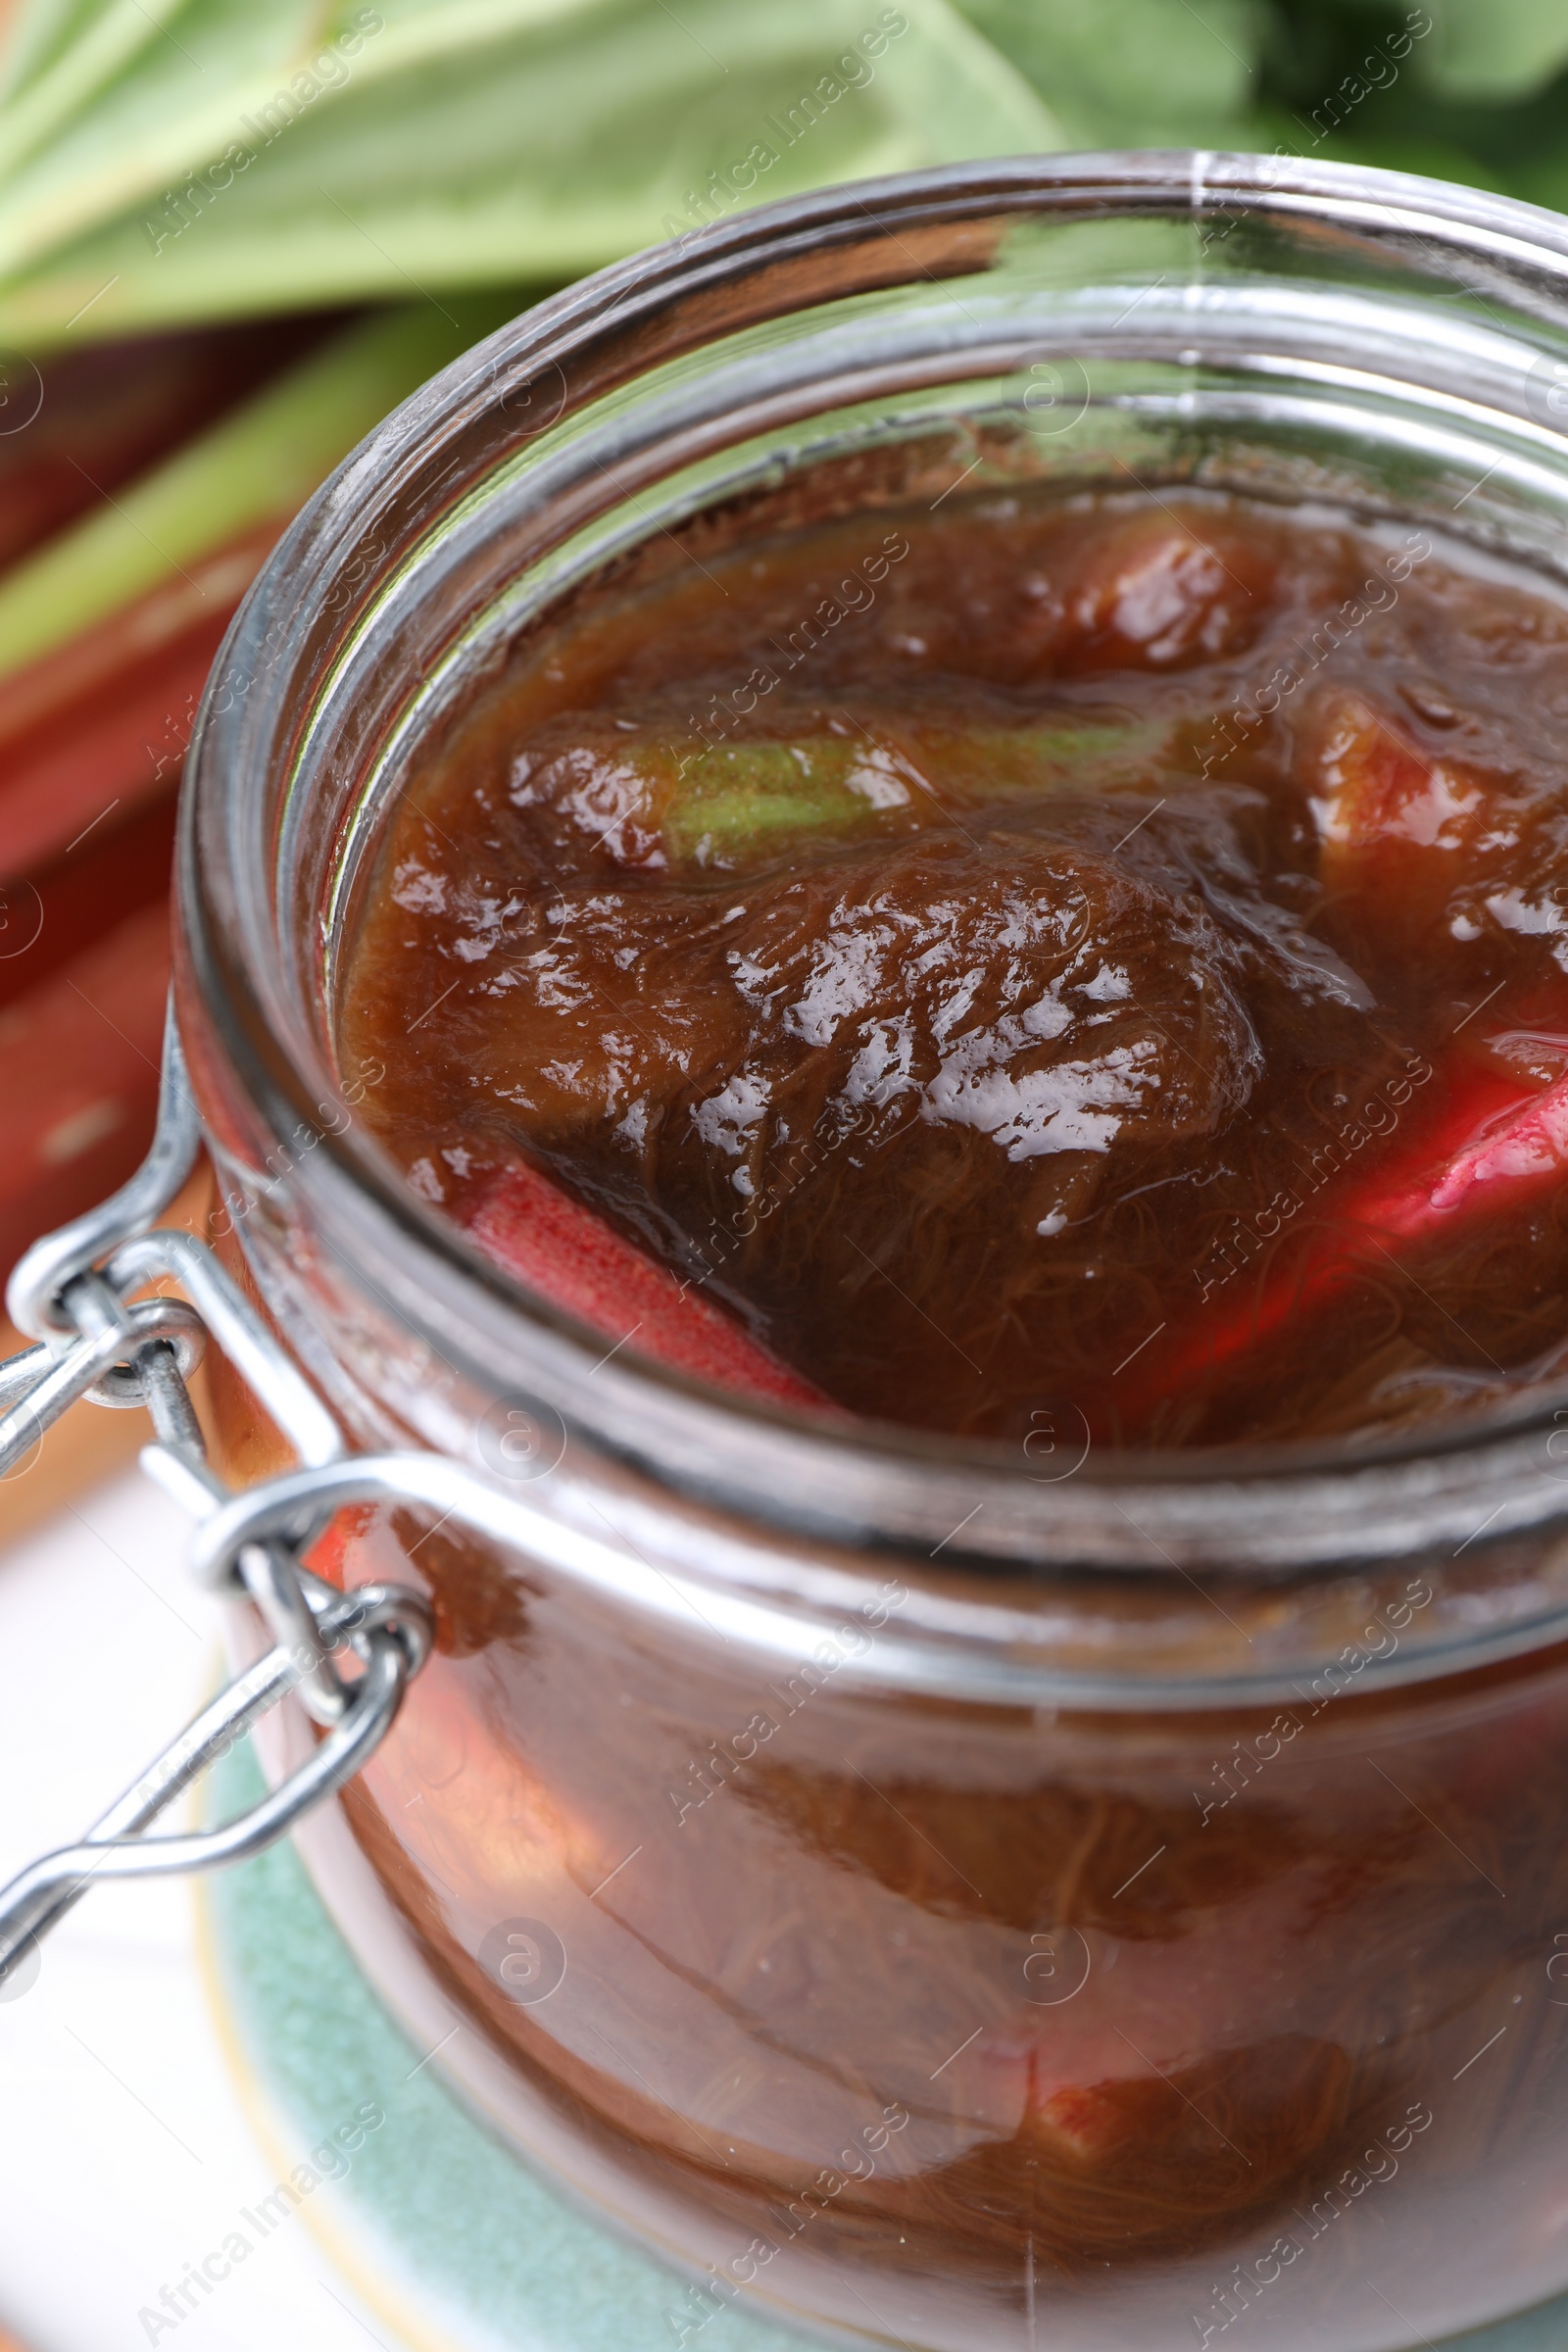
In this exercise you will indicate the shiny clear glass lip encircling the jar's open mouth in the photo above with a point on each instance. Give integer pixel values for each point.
(243, 996)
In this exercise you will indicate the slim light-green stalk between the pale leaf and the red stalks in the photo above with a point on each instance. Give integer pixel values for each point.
(257, 465)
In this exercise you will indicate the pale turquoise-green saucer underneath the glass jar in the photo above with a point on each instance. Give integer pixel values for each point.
(434, 2224)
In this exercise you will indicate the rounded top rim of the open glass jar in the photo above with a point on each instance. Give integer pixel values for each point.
(1259, 1509)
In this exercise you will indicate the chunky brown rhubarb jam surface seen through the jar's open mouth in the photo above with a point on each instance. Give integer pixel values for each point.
(1031, 956)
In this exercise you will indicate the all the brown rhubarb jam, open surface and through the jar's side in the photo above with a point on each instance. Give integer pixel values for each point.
(942, 965)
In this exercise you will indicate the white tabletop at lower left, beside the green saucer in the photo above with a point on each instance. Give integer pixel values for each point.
(123, 2149)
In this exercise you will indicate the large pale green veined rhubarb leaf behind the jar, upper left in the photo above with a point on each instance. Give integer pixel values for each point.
(232, 168)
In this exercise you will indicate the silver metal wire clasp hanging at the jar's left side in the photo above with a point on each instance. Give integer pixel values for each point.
(74, 1295)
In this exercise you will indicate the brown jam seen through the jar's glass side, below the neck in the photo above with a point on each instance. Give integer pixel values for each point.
(1019, 2029)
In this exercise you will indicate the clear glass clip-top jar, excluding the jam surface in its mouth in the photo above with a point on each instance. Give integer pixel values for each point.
(944, 1895)
